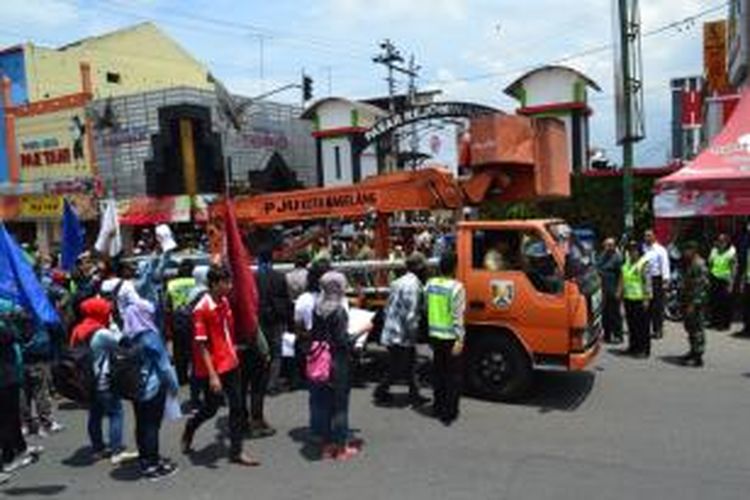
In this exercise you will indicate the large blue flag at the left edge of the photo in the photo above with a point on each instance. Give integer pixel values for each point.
(19, 284)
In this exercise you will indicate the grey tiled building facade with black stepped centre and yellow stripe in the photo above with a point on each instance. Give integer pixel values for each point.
(176, 141)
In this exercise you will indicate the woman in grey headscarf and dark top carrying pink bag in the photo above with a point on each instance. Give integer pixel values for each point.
(330, 399)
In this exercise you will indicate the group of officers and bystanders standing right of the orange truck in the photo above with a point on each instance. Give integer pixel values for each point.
(636, 279)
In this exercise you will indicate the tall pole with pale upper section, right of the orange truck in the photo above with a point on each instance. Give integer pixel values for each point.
(630, 119)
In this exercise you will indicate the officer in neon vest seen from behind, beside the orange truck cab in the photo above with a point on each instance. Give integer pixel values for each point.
(446, 304)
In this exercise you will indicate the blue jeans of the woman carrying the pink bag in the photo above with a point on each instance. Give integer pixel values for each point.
(329, 413)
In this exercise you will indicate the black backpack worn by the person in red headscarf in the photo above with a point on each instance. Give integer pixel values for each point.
(73, 374)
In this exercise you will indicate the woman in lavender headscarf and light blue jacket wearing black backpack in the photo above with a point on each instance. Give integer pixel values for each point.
(160, 379)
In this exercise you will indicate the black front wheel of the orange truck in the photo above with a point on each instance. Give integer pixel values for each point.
(497, 368)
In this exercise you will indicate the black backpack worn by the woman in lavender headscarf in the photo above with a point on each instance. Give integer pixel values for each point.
(126, 369)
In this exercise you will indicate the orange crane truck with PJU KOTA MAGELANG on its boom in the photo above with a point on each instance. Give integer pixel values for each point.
(533, 298)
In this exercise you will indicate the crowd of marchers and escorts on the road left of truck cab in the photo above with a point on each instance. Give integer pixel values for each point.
(130, 333)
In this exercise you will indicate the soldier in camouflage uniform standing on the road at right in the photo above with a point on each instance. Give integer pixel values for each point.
(695, 287)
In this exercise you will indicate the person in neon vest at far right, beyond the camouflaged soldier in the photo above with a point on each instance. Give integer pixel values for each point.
(722, 265)
